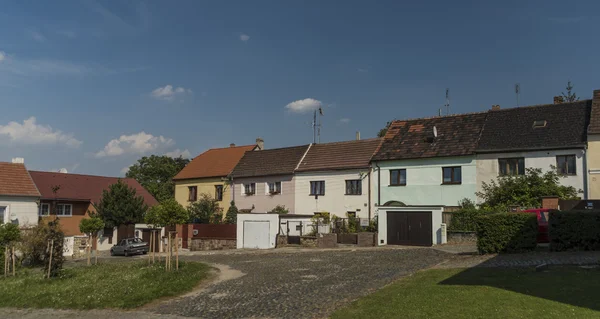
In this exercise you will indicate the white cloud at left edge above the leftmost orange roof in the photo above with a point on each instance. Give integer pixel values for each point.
(32, 133)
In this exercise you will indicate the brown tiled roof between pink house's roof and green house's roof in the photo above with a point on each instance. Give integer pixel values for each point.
(339, 155)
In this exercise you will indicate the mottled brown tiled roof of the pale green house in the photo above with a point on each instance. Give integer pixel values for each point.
(457, 136)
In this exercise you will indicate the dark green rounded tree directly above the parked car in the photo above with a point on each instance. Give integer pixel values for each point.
(120, 205)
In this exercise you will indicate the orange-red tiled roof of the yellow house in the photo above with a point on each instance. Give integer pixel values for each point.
(215, 162)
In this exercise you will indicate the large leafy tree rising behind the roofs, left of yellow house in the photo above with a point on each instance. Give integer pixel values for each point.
(156, 174)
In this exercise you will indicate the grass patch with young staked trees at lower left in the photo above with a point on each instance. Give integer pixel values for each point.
(111, 285)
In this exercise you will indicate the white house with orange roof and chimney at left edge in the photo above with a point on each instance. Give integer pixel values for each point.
(18, 195)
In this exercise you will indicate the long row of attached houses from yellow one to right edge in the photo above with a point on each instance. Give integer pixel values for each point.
(435, 161)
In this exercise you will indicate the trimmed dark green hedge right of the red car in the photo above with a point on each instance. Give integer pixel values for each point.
(574, 230)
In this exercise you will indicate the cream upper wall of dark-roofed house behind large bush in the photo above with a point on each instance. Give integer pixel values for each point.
(487, 165)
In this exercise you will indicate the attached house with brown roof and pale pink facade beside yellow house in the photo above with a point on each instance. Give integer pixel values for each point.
(265, 179)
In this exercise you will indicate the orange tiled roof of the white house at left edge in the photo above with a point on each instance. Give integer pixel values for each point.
(15, 181)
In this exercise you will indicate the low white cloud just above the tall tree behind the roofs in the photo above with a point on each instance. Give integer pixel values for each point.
(140, 143)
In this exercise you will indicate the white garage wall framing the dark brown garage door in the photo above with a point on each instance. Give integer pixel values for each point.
(436, 222)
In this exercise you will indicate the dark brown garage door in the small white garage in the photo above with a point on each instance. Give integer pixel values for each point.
(409, 228)
